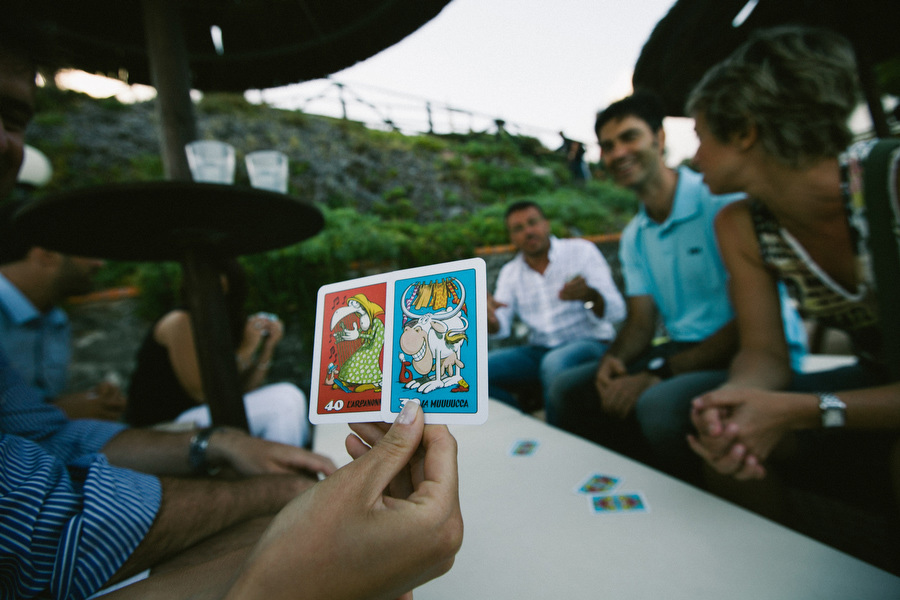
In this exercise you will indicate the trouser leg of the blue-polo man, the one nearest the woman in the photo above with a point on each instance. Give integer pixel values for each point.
(663, 413)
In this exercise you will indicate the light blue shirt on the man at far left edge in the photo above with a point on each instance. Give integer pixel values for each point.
(37, 344)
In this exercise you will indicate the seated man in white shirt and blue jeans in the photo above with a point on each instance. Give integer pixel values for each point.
(563, 290)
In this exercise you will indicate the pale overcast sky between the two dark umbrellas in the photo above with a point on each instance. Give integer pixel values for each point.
(547, 66)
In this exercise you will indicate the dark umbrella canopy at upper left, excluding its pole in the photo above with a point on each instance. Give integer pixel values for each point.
(265, 43)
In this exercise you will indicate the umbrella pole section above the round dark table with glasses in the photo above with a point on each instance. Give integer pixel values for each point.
(170, 73)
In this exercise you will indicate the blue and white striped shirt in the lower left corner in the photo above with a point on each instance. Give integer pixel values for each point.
(68, 519)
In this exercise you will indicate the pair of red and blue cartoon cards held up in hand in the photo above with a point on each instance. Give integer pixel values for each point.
(418, 333)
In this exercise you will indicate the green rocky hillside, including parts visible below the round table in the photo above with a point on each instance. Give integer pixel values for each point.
(387, 180)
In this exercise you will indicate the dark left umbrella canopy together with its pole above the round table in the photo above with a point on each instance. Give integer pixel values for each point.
(264, 43)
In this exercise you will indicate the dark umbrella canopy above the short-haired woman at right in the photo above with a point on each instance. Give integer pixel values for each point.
(696, 34)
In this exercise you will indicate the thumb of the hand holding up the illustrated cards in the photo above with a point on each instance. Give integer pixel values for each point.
(392, 452)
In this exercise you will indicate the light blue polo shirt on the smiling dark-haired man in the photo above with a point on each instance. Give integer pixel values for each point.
(677, 262)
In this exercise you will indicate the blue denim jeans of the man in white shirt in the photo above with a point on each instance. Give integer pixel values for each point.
(524, 368)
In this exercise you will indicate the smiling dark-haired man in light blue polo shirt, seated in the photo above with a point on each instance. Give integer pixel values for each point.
(640, 391)
